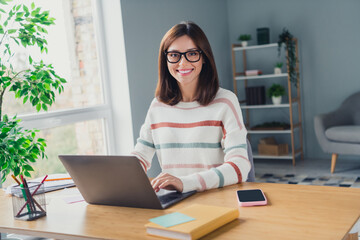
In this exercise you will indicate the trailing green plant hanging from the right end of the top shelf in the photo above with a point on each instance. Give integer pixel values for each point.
(287, 38)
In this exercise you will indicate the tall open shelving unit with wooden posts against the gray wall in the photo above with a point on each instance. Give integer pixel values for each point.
(295, 129)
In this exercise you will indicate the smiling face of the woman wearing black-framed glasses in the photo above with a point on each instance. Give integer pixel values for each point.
(186, 73)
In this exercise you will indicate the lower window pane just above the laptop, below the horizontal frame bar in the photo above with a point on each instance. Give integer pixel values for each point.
(79, 138)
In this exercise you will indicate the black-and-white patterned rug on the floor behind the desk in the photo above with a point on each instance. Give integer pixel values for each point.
(335, 181)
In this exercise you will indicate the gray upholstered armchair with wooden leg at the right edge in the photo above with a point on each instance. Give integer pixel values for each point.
(338, 132)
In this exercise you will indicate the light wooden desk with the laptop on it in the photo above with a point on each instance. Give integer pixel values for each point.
(294, 212)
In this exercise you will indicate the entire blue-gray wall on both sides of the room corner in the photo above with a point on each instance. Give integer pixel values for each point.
(328, 33)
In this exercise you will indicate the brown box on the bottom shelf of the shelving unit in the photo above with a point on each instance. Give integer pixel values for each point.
(269, 146)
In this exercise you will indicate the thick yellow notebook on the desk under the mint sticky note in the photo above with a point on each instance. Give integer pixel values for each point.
(207, 219)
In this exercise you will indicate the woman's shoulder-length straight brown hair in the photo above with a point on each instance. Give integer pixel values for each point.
(168, 90)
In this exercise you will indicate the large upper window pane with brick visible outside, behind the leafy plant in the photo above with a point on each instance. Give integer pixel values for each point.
(73, 53)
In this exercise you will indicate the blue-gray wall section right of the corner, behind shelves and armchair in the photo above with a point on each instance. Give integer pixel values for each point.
(329, 37)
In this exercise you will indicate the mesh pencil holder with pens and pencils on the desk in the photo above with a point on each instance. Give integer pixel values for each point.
(29, 202)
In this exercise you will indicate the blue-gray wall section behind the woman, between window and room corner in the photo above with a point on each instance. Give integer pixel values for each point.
(145, 23)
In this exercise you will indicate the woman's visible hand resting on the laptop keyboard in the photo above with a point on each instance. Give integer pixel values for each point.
(168, 182)
